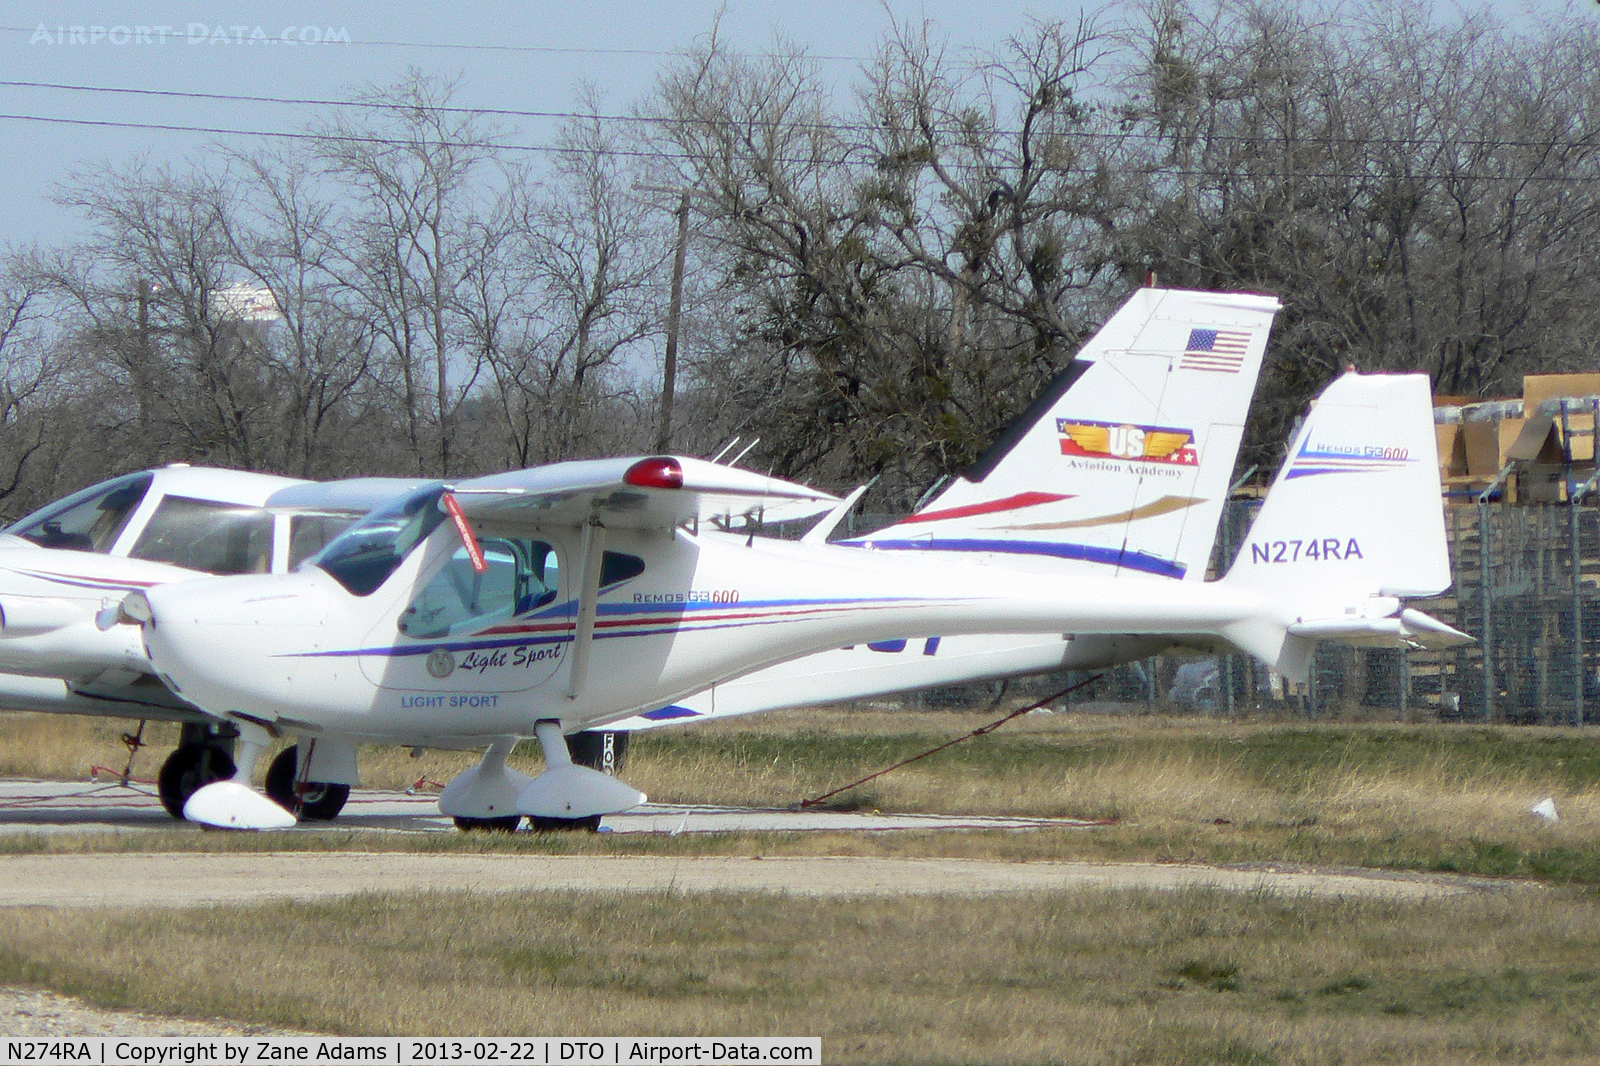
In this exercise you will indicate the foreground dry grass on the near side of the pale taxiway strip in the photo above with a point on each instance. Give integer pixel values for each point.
(1090, 977)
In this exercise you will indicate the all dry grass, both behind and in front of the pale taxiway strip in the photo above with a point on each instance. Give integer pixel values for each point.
(1089, 977)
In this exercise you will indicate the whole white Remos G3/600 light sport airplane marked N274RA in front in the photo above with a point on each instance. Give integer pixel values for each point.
(572, 596)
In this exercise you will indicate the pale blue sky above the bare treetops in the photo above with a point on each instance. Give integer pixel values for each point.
(524, 57)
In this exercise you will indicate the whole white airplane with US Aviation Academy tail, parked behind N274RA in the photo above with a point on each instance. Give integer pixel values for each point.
(1138, 439)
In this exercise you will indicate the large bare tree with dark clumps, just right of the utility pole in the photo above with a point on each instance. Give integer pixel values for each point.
(908, 275)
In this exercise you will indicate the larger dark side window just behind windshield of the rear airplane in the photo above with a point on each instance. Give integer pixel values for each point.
(209, 537)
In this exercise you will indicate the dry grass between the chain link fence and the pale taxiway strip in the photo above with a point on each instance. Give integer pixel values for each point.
(1434, 798)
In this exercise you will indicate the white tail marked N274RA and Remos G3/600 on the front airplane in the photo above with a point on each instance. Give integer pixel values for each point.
(1353, 524)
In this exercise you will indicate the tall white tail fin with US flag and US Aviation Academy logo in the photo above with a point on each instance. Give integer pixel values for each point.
(1124, 463)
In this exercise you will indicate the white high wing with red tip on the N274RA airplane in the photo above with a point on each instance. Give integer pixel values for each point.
(655, 492)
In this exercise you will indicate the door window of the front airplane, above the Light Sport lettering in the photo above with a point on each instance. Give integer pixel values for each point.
(521, 575)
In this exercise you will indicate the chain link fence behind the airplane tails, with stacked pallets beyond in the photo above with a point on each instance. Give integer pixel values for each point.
(1527, 587)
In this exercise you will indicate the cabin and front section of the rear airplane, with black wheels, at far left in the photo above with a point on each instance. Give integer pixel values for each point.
(71, 563)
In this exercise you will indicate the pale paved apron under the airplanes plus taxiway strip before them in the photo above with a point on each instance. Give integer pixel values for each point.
(190, 880)
